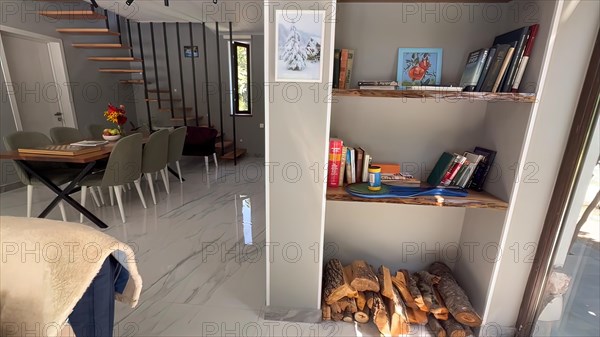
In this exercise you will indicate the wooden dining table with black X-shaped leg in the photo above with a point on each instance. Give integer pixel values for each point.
(89, 161)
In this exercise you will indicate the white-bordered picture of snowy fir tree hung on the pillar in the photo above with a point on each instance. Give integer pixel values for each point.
(298, 55)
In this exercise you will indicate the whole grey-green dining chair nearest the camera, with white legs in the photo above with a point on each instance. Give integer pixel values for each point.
(124, 166)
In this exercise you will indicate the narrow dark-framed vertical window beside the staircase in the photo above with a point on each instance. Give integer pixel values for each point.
(241, 79)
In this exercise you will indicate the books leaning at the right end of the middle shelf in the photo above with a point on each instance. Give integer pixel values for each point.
(468, 170)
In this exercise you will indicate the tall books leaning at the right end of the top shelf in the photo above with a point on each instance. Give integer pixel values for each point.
(500, 68)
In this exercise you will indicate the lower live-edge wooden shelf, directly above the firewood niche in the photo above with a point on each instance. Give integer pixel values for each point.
(473, 200)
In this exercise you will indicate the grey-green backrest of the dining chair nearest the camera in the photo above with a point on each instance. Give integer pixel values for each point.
(125, 161)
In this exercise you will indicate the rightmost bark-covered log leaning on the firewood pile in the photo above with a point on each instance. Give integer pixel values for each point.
(454, 297)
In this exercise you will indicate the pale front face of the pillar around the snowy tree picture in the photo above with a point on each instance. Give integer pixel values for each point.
(297, 132)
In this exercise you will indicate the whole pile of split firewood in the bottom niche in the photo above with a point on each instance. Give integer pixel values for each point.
(431, 297)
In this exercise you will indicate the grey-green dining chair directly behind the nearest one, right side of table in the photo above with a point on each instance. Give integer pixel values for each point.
(154, 159)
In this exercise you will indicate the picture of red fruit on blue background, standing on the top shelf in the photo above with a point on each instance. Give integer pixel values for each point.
(419, 66)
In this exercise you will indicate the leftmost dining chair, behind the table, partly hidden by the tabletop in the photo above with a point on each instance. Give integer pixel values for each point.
(57, 173)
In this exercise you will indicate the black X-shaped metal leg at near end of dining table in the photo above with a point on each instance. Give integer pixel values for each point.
(64, 194)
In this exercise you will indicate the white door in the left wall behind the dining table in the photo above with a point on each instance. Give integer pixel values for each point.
(35, 89)
